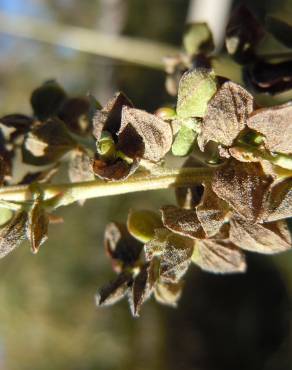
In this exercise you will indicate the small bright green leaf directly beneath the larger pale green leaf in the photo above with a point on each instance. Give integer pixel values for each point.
(184, 141)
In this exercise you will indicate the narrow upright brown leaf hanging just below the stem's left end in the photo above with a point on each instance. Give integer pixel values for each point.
(37, 226)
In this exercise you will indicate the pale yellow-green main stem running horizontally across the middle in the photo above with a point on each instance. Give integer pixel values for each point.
(71, 192)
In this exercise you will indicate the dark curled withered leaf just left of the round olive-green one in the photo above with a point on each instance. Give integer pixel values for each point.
(122, 248)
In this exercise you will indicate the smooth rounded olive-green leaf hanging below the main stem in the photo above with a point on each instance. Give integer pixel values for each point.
(142, 224)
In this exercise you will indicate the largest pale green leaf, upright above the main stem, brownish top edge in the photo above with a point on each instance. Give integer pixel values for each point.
(196, 88)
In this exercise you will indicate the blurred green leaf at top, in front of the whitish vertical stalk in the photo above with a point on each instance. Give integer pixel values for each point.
(198, 39)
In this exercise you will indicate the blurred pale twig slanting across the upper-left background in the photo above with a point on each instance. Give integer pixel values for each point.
(138, 51)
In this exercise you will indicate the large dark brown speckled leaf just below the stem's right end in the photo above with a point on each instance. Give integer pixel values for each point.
(243, 186)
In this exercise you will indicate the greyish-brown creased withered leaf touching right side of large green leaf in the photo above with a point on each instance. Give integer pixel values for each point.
(226, 115)
